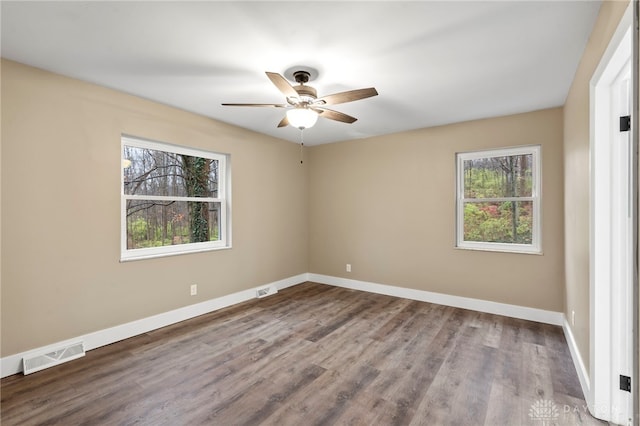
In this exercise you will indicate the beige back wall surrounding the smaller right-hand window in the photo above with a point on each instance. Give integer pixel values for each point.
(386, 206)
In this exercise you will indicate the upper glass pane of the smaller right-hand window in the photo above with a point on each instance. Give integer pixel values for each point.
(497, 177)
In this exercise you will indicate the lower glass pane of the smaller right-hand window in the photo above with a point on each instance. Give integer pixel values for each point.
(501, 222)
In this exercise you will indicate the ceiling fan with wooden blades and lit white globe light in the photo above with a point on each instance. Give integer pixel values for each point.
(304, 106)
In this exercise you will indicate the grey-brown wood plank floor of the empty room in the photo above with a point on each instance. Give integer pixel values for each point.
(315, 355)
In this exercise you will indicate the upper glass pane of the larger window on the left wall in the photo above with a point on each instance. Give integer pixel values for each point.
(153, 172)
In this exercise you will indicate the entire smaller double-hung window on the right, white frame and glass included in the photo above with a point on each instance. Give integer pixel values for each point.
(498, 200)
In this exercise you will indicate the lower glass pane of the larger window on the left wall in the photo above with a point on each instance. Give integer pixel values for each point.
(160, 223)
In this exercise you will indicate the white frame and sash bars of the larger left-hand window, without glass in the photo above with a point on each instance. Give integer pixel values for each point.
(224, 191)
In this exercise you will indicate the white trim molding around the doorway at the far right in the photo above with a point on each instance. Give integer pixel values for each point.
(599, 396)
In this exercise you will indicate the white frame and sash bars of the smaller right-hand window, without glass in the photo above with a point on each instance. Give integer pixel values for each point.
(536, 198)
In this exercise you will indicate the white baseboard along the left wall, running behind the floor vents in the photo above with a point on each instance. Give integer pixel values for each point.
(13, 364)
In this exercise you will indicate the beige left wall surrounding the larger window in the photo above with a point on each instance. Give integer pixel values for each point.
(61, 275)
